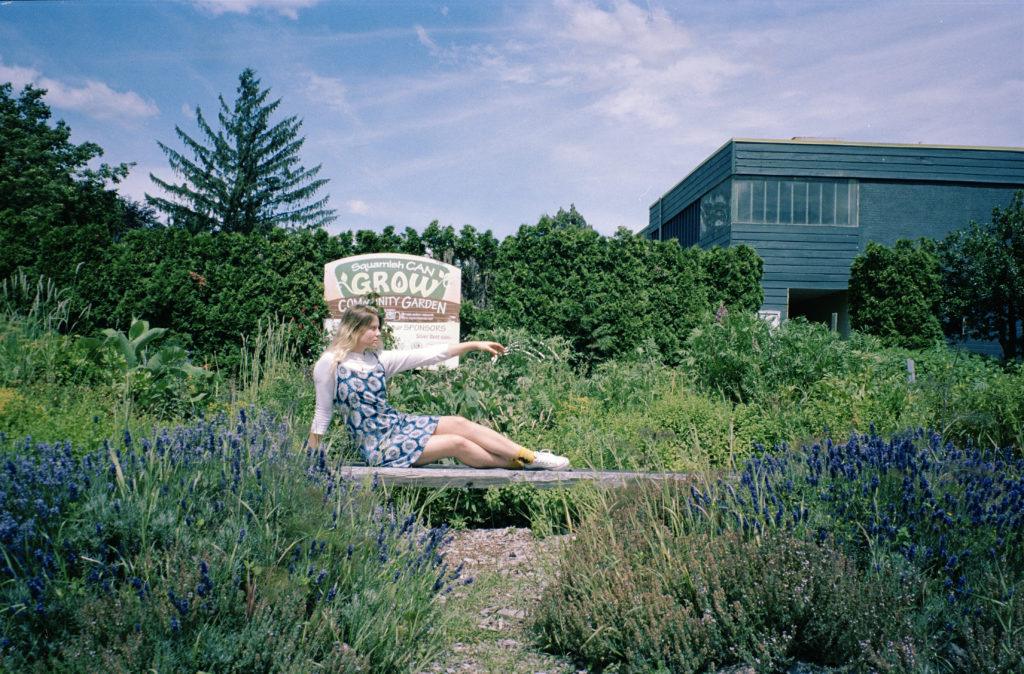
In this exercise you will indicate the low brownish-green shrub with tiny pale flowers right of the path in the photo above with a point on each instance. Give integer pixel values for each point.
(642, 595)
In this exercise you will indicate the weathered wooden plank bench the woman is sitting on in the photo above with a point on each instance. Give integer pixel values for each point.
(445, 477)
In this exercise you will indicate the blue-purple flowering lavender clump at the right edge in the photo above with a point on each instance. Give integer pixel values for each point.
(949, 517)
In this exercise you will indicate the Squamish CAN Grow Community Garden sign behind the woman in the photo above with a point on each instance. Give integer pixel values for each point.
(420, 297)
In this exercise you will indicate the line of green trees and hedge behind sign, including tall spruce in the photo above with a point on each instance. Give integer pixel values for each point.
(243, 240)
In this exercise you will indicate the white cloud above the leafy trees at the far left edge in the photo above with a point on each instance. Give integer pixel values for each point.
(94, 99)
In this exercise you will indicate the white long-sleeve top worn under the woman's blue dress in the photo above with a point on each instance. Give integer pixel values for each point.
(394, 363)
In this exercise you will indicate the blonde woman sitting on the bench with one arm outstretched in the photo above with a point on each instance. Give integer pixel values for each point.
(353, 376)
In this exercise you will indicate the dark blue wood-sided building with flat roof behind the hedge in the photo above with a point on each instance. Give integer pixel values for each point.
(809, 207)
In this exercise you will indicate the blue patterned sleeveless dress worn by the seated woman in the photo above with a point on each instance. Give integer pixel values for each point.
(385, 436)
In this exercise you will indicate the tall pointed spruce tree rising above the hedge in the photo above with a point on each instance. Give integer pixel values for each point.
(245, 177)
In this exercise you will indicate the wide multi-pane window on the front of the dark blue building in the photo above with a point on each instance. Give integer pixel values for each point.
(773, 201)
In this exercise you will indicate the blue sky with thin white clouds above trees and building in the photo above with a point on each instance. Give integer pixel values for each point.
(493, 114)
